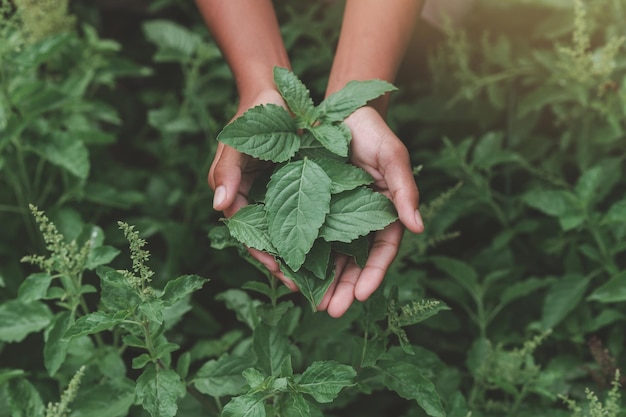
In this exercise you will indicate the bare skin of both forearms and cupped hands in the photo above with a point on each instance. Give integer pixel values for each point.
(373, 39)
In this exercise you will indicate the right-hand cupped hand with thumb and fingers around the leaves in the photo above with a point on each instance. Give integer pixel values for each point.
(376, 149)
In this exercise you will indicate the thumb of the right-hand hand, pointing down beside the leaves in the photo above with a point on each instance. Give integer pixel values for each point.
(398, 175)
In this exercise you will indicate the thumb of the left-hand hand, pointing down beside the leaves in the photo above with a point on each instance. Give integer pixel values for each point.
(225, 176)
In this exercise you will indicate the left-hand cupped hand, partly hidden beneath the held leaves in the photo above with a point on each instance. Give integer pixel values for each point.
(232, 174)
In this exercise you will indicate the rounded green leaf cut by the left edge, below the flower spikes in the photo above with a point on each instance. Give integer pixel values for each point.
(18, 319)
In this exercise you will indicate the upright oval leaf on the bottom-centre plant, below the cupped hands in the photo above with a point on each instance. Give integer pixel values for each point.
(271, 347)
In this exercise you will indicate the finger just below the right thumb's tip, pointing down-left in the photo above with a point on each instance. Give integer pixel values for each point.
(384, 250)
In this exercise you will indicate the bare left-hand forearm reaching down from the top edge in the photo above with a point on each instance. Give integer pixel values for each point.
(248, 34)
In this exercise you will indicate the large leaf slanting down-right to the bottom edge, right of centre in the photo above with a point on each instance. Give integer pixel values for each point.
(408, 381)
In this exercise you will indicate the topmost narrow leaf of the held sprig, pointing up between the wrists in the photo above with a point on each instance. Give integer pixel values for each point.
(295, 94)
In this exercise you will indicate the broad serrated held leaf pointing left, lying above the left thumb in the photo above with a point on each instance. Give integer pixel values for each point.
(267, 132)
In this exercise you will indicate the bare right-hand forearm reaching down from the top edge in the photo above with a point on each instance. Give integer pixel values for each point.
(374, 36)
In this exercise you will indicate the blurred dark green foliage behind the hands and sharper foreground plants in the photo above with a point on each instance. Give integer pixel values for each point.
(109, 111)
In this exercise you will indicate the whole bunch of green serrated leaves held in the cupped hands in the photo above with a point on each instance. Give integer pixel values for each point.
(315, 200)
